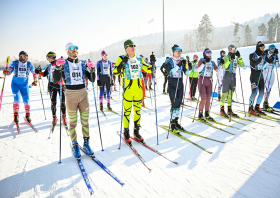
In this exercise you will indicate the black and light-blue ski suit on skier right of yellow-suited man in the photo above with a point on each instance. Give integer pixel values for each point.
(175, 71)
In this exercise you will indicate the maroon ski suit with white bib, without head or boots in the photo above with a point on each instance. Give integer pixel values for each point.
(205, 83)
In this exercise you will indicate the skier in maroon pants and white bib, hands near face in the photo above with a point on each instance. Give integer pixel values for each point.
(205, 68)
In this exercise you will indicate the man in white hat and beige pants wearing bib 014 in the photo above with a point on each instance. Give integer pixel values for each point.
(73, 72)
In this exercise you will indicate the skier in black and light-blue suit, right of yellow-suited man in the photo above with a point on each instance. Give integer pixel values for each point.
(175, 68)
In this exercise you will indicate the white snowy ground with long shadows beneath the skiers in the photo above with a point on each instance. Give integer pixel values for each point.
(247, 165)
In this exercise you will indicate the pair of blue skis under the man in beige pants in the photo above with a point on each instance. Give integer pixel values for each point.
(85, 175)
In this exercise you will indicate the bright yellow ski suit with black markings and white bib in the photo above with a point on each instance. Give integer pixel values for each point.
(133, 93)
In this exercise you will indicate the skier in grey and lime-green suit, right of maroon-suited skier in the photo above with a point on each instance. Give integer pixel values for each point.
(229, 64)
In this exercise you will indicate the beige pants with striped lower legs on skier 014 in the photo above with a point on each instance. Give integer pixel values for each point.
(77, 100)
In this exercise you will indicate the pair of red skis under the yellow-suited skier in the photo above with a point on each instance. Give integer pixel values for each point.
(147, 146)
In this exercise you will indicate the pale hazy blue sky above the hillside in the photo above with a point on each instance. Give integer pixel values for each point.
(39, 26)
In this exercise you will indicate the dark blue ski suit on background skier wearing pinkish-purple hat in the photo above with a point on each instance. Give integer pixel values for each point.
(105, 76)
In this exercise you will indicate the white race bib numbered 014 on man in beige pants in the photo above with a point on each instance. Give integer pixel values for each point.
(76, 73)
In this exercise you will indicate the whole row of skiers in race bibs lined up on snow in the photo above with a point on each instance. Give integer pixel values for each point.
(68, 77)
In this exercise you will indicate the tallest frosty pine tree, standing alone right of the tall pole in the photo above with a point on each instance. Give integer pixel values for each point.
(203, 32)
